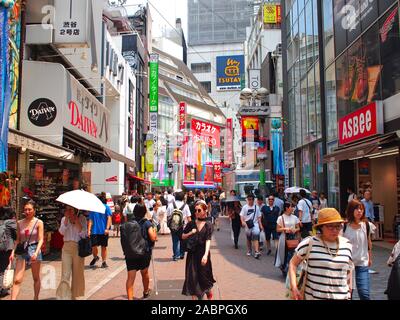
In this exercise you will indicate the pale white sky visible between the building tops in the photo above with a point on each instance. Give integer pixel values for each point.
(170, 10)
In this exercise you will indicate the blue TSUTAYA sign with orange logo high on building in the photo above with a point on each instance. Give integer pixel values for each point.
(229, 72)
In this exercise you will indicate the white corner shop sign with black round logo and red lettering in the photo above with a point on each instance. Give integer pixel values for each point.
(77, 110)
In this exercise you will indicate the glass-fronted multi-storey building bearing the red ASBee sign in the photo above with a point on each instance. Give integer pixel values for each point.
(342, 102)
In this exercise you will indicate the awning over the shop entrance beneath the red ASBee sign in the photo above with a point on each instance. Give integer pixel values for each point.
(363, 148)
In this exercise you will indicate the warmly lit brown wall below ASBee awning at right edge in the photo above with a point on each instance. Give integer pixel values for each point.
(384, 187)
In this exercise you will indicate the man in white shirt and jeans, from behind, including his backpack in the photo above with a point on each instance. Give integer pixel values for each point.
(178, 215)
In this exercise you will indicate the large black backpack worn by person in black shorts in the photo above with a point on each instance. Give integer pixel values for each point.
(134, 242)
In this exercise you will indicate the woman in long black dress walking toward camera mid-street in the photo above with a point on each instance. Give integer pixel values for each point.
(199, 278)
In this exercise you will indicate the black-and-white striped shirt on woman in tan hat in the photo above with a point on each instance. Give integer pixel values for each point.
(327, 275)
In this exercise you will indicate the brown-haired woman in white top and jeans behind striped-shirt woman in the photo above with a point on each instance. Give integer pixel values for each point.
(358, 231)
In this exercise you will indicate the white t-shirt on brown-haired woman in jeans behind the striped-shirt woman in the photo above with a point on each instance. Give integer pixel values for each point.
(358, 239)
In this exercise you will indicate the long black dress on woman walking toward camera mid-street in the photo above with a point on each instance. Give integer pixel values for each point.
(198, 279)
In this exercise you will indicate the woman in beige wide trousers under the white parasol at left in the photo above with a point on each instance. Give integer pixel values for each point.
(73, 227)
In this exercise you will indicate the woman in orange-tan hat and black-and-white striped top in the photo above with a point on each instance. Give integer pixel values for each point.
(329, 265)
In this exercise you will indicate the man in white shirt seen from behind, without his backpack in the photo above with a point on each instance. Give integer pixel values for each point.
(178, 249)
